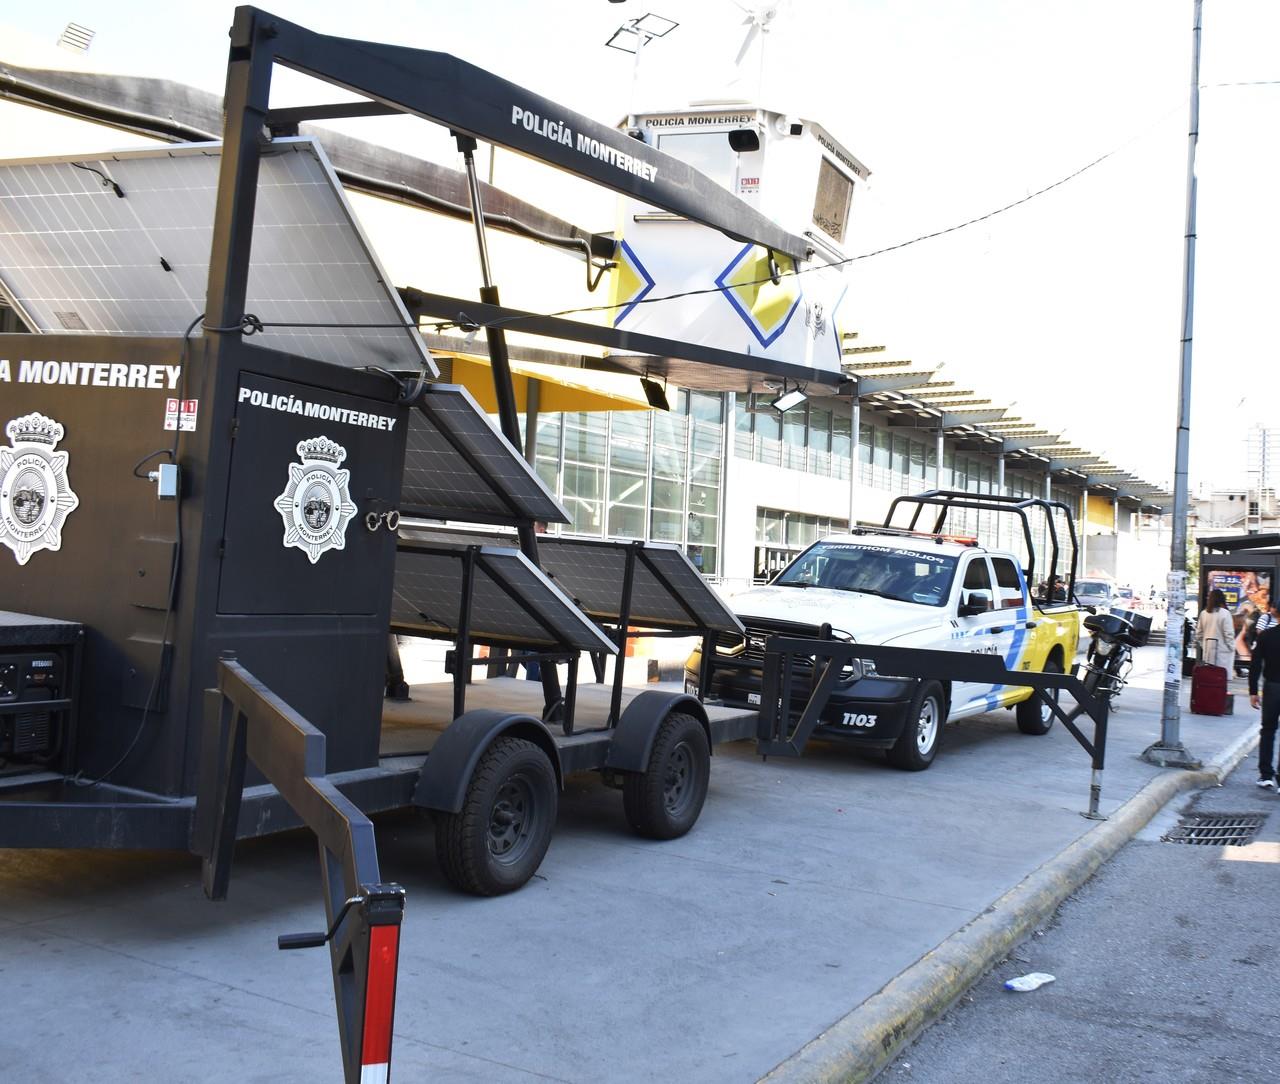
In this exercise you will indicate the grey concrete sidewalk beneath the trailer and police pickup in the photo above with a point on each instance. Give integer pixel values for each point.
(804, 890)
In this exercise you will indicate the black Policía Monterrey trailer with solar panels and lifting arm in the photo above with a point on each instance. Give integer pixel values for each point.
(213, 498)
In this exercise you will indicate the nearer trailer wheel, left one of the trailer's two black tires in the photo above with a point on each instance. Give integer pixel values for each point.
(497, 841)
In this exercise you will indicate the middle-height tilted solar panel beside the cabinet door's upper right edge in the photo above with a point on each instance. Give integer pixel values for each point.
(459, 466)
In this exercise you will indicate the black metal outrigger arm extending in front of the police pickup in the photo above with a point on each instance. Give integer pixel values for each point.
(780, 738)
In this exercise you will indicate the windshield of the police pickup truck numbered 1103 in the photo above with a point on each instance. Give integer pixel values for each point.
(906, 575)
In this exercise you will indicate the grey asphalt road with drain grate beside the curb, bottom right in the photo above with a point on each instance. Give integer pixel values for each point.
(1167, 964)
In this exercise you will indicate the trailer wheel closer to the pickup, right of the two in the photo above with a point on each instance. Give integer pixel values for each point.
(665, 801)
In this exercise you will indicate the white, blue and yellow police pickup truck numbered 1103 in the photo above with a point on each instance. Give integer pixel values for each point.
(911, 591)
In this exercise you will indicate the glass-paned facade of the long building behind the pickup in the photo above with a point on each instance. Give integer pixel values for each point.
(659, 475)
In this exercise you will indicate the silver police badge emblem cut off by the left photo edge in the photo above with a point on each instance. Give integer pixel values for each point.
(35, 496)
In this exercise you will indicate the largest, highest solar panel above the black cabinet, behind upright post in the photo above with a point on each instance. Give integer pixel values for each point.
(120, 244)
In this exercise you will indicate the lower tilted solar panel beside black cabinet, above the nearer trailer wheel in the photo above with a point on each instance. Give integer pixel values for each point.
(513, 605)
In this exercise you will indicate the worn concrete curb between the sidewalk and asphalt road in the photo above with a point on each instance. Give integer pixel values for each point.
(865, 1041)
